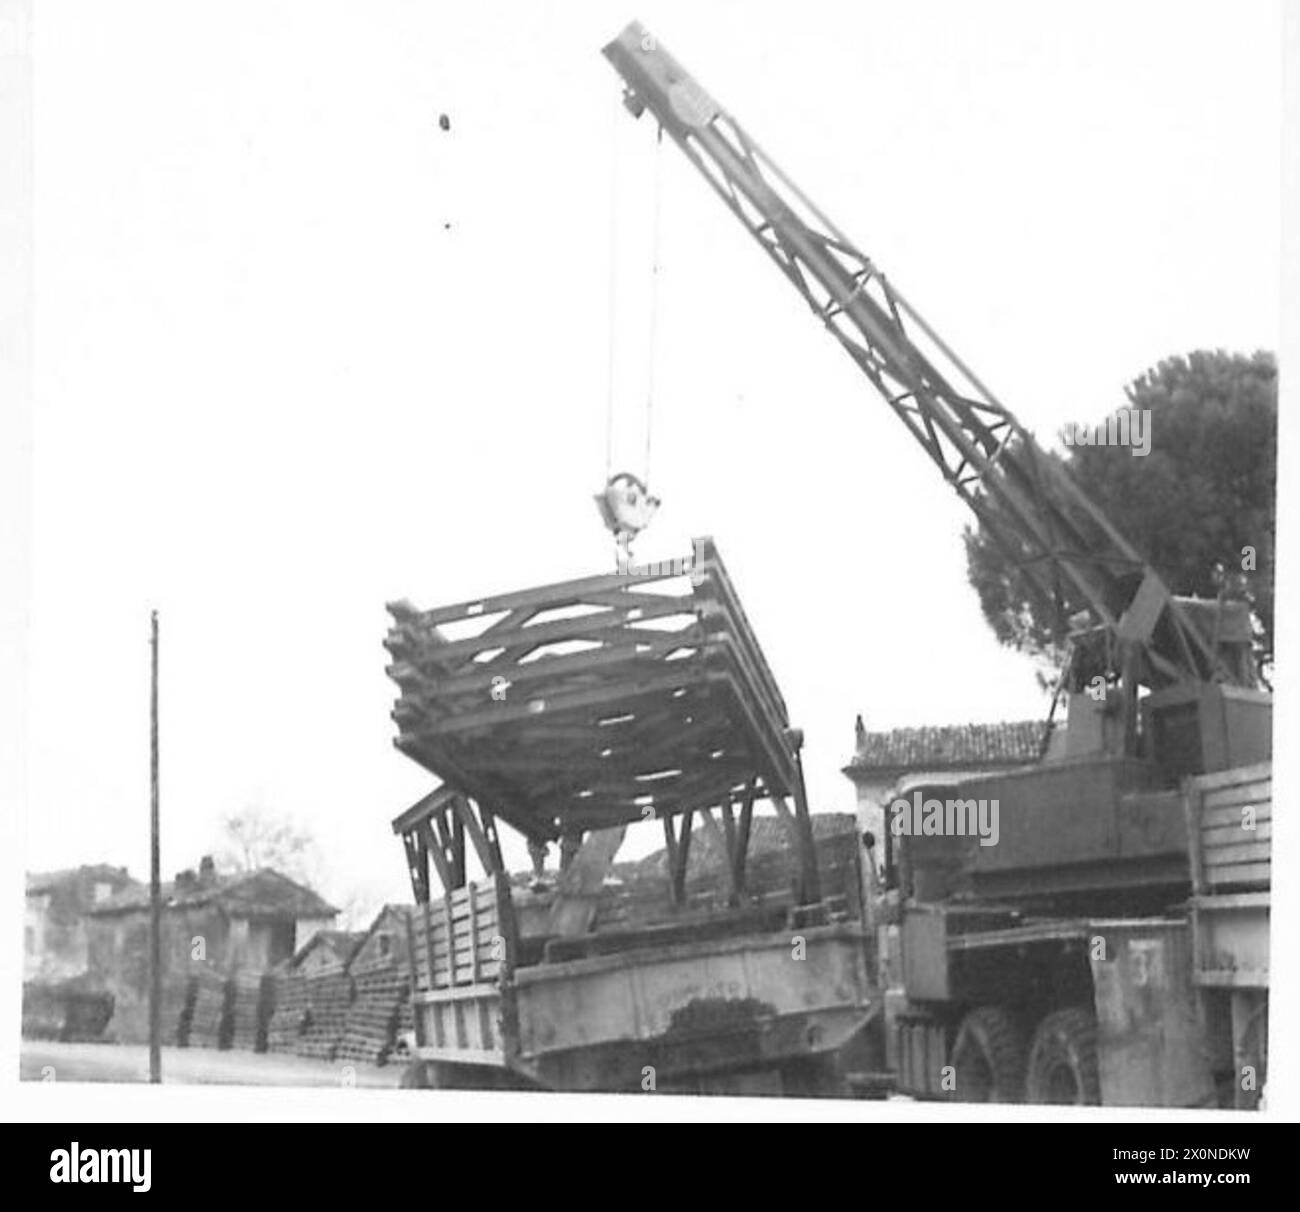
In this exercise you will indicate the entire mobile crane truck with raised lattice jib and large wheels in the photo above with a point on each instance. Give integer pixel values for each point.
(1113, 946)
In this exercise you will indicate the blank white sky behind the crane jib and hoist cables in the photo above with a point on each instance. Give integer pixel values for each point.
(274, 391)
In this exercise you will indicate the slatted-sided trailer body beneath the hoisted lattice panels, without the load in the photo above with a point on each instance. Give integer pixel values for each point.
(718, 1003)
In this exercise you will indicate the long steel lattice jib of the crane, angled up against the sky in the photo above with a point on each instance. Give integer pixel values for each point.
(1026, 501)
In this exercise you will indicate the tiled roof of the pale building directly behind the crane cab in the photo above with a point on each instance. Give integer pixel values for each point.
(954, 747)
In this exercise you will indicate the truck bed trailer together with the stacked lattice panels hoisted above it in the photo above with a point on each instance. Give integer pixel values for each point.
(571, 712)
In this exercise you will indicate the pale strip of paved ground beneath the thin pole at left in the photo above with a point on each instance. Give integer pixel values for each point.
(44, 1060)
